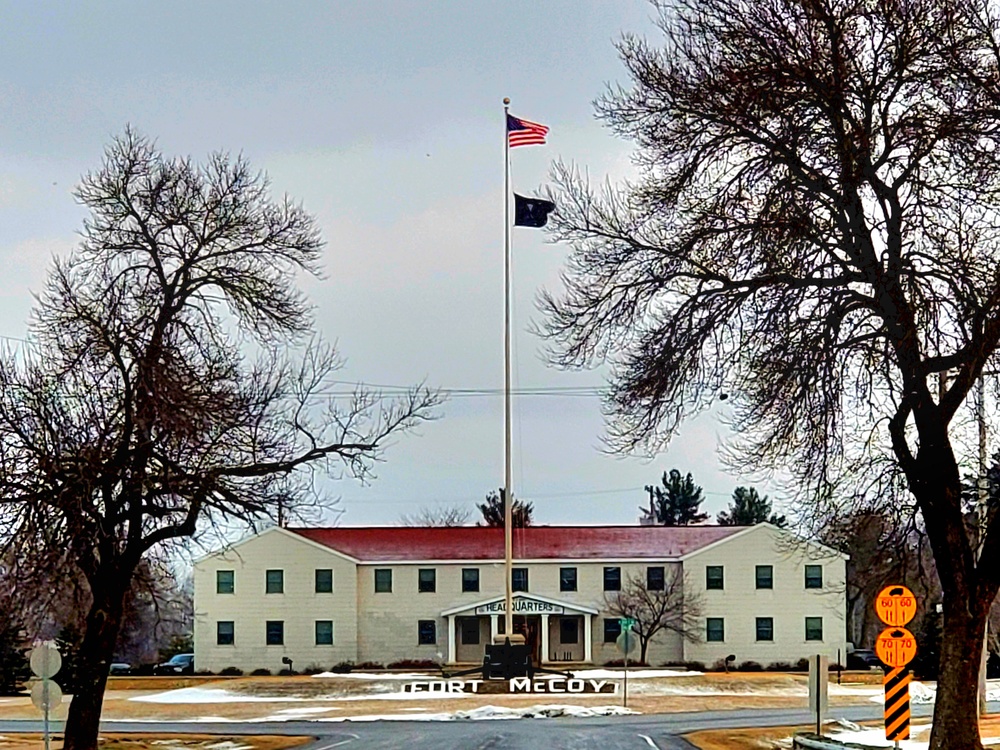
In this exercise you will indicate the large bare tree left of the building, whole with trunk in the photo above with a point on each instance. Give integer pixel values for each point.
(140, 418)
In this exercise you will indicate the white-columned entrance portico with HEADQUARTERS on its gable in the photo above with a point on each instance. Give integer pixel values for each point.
(551, 628)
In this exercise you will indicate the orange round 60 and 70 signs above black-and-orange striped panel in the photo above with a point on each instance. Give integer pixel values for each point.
(896, 646)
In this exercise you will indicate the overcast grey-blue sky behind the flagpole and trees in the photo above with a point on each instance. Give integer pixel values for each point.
(385, 120)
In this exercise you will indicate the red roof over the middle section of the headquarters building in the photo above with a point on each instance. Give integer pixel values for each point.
(379, 543)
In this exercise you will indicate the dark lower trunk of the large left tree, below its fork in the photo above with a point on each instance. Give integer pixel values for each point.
(96, 653)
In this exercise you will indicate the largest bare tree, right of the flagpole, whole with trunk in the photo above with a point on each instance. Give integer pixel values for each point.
(814, 229)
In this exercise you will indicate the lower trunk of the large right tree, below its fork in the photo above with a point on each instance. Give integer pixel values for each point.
(956, 705)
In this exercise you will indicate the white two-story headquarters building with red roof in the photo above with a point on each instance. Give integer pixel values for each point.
(321, 596)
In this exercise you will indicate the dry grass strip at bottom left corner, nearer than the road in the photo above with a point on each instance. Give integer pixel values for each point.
(161, 742)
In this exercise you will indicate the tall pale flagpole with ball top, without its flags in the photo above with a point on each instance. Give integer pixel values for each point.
(508, 493)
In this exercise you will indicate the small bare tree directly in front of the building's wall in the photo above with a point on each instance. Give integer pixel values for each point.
(656, 610)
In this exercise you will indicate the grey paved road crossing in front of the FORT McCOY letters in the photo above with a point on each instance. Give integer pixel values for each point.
(658, 732)
